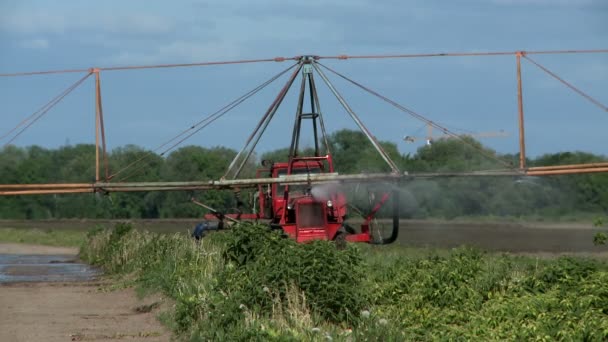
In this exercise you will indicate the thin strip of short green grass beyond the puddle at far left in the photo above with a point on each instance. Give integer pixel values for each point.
(49, 237)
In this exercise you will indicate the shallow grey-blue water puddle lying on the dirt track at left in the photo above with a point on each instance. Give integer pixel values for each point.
(43, 268)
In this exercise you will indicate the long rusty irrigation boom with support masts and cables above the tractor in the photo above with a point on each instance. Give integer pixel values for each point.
(311, 62)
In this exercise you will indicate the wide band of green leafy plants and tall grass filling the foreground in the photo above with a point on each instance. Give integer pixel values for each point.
(252, 284)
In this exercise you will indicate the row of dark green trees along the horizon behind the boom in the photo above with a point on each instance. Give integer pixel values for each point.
(555, 197)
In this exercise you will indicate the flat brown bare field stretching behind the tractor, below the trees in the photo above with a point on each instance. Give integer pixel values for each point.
(518, 237)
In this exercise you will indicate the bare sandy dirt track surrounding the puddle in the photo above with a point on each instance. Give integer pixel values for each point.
(73, 311)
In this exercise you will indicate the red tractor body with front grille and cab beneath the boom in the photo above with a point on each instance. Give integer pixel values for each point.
(306, 211)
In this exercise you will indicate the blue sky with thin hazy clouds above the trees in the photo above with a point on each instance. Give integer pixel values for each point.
(464, 94)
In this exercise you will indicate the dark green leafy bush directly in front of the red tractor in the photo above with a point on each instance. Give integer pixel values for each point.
(262, 265)
